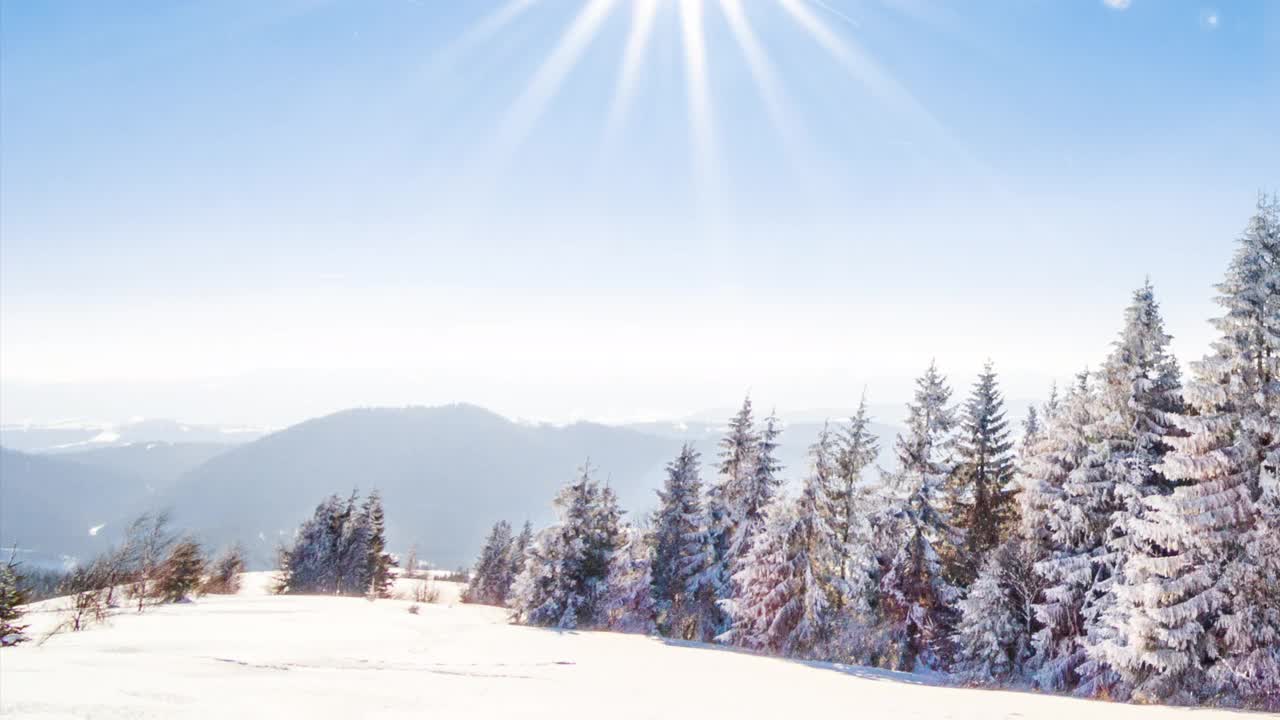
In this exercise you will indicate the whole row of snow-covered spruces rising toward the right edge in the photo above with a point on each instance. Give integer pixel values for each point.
(1126, 545)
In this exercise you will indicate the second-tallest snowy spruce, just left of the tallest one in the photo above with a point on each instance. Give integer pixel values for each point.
(1140, 393)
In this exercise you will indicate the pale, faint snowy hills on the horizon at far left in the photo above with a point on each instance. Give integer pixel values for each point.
(71, 438)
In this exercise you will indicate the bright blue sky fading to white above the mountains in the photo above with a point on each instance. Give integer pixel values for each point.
(255, 211)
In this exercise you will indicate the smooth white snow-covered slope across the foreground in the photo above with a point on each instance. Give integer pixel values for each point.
(258, 655)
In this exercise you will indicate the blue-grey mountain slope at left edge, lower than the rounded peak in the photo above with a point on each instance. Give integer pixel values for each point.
(51, 507)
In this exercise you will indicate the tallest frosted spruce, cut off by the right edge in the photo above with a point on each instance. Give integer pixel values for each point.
(1212, 627)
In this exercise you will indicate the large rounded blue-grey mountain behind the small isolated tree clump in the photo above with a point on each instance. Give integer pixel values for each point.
(446, 475)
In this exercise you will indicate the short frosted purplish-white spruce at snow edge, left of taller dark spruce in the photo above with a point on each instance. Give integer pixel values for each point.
(627, 600)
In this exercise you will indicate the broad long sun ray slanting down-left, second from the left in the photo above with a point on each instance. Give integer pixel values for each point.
(551, 75)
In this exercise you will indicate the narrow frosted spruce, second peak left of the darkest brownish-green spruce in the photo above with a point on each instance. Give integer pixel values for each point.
(853, 505)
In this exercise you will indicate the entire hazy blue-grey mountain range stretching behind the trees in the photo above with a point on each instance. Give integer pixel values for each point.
(446, 475)
